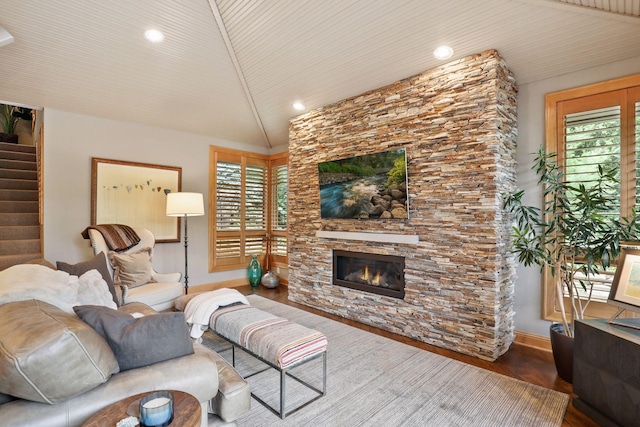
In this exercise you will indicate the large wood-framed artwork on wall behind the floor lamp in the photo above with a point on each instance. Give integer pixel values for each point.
(135, 194)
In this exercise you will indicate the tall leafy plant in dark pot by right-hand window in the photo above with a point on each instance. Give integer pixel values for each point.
(576, 235)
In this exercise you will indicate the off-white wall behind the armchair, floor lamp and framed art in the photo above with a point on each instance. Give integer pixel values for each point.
(71, 140)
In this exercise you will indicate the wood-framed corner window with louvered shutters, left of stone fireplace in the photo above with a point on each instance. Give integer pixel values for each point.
(248, 213)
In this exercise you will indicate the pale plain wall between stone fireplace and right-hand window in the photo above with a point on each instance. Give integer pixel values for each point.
(528, 296)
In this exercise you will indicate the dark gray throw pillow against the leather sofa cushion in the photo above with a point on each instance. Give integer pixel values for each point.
(140, 341)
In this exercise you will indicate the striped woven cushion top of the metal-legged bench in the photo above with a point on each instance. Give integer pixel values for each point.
(274, 339)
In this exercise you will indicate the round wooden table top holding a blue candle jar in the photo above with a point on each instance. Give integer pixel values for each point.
(186, 411)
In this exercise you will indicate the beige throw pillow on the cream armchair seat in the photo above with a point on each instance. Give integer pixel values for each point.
(132, 269)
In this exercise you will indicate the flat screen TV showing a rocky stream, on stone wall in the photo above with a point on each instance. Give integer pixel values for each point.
(373, 186)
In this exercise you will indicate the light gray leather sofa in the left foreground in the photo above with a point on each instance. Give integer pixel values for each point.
(57, 370)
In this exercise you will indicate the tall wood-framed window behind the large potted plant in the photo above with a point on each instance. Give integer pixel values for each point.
(588, 127)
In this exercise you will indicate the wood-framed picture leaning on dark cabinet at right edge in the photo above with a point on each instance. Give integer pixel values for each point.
(625, 288)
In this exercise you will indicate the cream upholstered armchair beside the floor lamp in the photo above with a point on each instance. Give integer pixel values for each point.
(162, 290)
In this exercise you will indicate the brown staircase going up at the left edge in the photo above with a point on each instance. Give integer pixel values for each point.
(20, 239)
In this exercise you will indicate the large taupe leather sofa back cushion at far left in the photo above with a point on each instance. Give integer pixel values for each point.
(47, 355)
